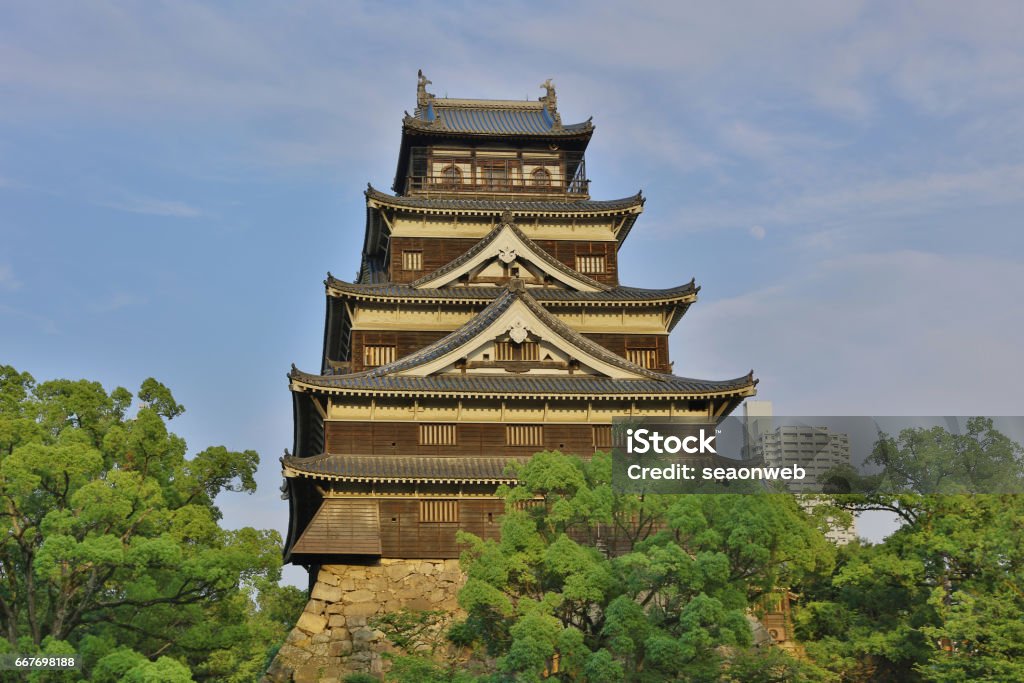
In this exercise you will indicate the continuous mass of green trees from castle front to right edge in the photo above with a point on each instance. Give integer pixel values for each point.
(590, 585)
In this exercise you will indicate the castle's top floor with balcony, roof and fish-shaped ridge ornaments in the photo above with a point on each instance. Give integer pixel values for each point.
(497, 149)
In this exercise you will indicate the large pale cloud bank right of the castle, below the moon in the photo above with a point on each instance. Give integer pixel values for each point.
(899, 333)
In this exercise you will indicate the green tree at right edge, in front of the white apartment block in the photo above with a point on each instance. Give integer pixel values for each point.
(941, 600)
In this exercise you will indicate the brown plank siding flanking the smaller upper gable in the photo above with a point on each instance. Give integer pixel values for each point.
(441, 251)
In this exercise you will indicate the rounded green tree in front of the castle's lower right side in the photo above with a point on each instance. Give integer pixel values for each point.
(673, 606)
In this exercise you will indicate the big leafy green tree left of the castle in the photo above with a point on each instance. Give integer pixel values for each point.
(110, 541)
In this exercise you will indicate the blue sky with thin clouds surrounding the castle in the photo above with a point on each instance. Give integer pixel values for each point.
(845, 181)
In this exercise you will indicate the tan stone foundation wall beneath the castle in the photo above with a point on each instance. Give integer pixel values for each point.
(333, 638)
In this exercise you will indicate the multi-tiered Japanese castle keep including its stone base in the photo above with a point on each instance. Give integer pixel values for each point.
(488, 323)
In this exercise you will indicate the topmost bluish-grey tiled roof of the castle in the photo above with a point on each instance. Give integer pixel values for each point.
(484, 117)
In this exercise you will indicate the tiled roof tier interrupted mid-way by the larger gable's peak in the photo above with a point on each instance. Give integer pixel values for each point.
(615, 295)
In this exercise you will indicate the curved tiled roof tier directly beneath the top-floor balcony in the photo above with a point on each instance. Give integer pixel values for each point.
(516, 206)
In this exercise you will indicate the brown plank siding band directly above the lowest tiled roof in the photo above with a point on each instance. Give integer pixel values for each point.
(403, 439)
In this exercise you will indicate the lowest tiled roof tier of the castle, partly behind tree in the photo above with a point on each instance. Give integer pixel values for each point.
(401, 468)
